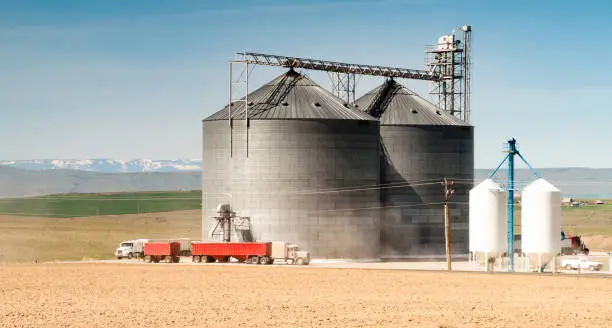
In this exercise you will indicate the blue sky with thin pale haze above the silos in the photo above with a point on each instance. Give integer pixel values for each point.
(132, 79)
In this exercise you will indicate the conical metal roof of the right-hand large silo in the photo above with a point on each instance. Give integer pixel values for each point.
(394, 104)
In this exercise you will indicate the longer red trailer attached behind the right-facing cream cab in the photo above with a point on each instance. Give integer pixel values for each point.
(256, 253)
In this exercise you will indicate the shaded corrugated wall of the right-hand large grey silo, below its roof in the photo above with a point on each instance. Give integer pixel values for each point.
(410, 224)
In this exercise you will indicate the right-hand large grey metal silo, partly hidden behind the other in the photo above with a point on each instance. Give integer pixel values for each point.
(421, 145)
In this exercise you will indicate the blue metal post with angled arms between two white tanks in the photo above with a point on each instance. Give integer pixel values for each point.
(512, 151)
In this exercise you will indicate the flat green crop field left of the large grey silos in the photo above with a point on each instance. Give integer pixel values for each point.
(83, 205)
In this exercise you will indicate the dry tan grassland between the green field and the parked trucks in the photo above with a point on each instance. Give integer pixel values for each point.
(27, 239)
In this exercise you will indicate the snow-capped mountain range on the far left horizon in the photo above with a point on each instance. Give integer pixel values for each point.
(107, 165)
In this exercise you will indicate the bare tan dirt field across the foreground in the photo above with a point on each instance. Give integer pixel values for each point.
(163, 295)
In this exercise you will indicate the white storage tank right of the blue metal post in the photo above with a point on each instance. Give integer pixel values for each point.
(541, 221)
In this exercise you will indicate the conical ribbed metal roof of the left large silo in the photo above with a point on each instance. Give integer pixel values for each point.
(291, 96)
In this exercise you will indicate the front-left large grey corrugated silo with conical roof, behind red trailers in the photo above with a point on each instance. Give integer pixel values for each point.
(304, 171)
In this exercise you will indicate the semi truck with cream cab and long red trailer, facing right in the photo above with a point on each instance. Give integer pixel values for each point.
(249, 252)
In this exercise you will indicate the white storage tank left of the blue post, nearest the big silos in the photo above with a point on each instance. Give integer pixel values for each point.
(488, 226)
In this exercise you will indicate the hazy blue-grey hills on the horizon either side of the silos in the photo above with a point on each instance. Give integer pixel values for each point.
(19, 182)
